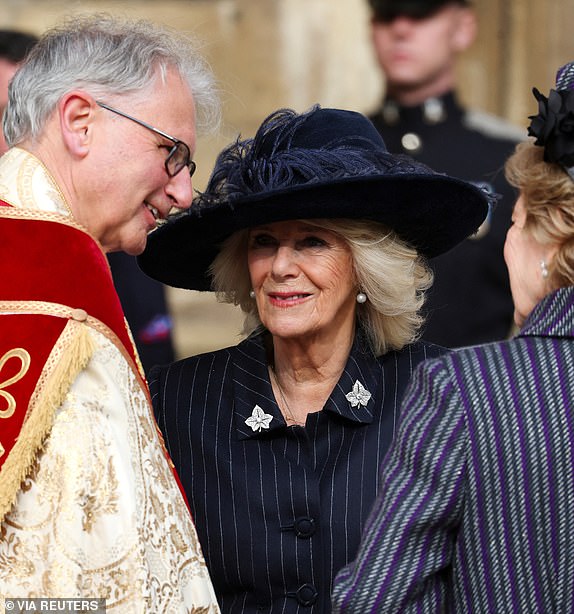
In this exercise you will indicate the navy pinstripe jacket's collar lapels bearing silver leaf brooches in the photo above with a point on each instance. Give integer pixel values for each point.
(257, 414)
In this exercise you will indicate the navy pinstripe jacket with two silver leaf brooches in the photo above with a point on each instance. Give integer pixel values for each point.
(278, 510)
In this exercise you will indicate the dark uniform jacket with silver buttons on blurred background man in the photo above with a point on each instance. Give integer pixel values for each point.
(470, 301)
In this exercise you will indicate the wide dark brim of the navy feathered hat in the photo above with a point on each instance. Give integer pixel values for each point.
(432, 212)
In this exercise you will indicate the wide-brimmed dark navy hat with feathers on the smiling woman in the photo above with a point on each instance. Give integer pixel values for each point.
(326, 163)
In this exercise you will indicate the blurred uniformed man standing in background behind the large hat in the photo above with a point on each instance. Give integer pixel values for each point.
(417, 43)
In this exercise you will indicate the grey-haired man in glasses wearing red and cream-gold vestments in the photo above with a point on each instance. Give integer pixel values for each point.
(101, 123)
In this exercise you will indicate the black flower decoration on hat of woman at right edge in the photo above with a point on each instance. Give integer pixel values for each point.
(553, 126)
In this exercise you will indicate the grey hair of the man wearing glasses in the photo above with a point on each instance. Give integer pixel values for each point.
(104, 55)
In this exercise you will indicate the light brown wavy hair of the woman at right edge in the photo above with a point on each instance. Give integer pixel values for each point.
(548, 196)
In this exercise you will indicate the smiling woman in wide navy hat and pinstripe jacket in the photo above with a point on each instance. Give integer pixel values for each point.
(320, 236)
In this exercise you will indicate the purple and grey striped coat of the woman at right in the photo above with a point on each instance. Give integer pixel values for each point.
(476, 512)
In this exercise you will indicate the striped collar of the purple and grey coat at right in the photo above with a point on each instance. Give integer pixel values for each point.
(552, 317)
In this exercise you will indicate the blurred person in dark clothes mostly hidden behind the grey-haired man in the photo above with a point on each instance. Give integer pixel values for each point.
(143, 299)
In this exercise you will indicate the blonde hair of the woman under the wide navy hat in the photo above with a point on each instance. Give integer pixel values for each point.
(390, 272)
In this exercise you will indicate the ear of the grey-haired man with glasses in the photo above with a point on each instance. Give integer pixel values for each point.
(76, 114)
